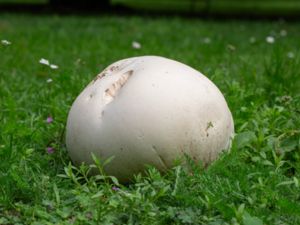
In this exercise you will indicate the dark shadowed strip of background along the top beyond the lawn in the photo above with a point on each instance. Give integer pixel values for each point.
(199, 8)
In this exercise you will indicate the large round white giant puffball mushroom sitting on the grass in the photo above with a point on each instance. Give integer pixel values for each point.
(148, 110)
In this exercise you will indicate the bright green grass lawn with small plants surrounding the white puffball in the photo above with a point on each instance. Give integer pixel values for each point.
(256, 183)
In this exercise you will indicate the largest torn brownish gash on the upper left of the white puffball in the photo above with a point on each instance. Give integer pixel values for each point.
(113, 90)
